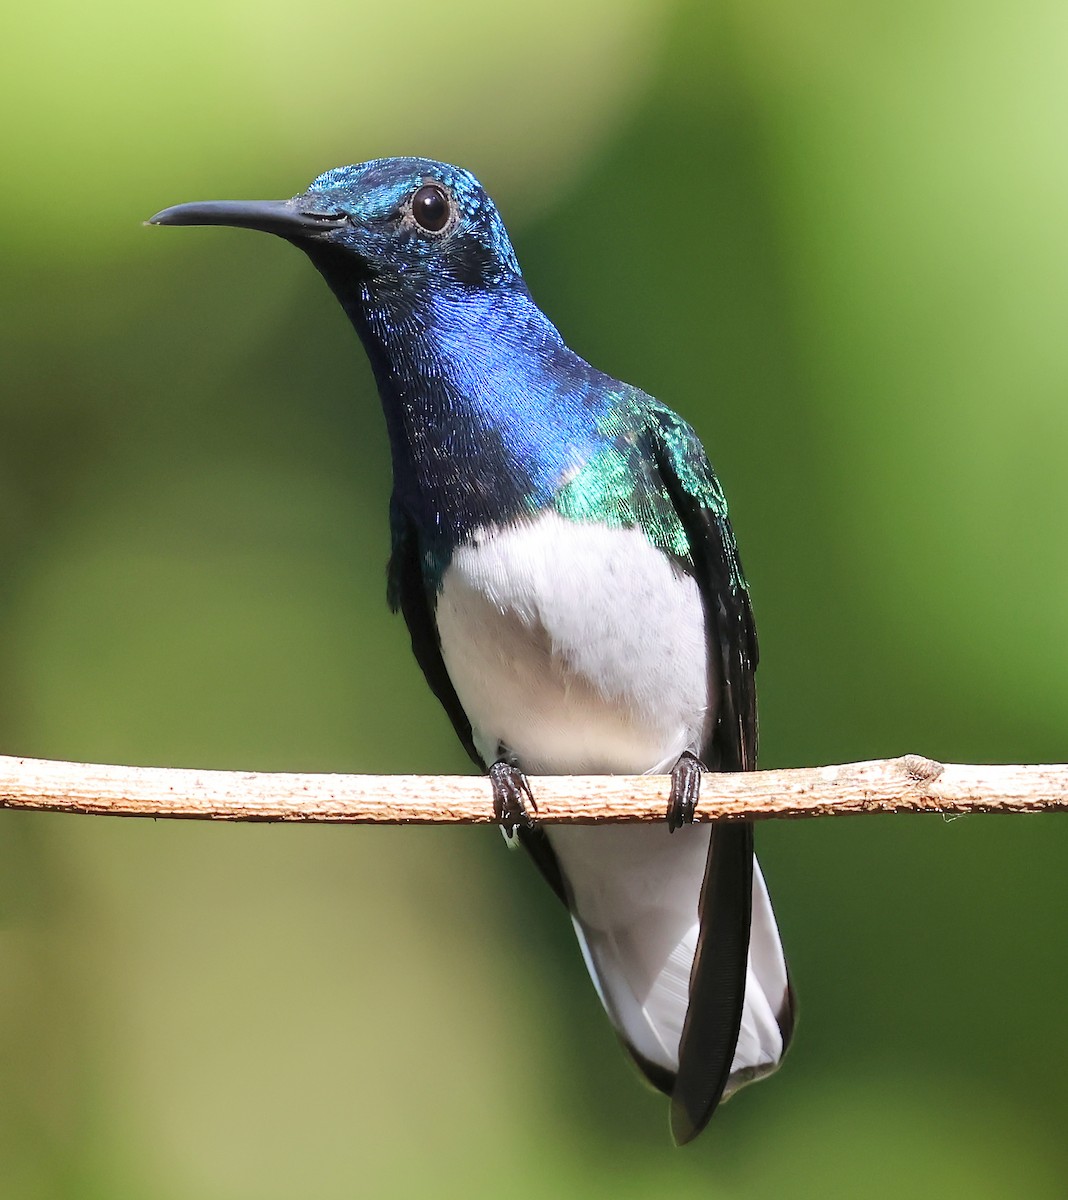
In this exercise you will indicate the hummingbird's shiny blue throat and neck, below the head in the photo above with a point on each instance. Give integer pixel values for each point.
(489, 412)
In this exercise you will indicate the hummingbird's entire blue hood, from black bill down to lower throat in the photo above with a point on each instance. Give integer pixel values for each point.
(488, 410)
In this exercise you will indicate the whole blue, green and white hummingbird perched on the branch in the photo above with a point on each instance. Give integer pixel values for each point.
(565, 562)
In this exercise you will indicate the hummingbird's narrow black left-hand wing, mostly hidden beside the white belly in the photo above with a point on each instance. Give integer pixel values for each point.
(406, 591)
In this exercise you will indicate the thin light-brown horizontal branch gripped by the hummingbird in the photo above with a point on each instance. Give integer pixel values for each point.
(911, 784)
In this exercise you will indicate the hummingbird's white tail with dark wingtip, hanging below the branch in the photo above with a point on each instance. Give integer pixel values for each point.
(639, 925)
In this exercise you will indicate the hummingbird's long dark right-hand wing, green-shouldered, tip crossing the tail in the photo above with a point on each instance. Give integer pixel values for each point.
(718, 979)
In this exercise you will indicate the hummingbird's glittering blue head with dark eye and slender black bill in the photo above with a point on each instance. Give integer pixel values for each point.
(406, 221)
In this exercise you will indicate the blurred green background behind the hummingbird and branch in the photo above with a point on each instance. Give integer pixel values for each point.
(833, 236)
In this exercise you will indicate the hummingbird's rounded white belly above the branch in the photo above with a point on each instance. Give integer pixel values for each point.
(577, 649)
